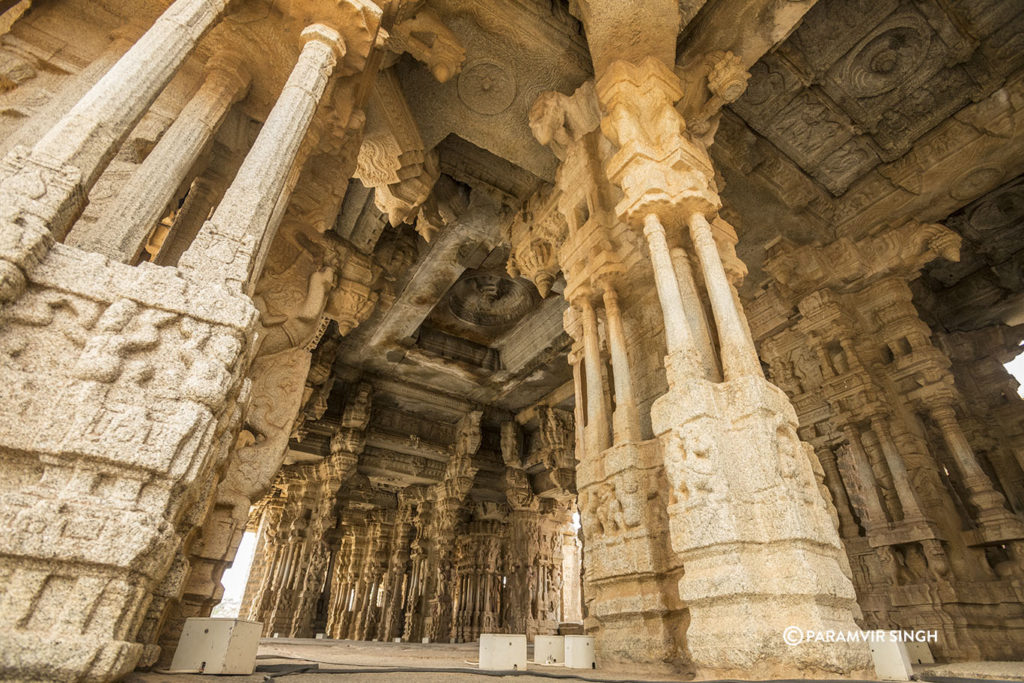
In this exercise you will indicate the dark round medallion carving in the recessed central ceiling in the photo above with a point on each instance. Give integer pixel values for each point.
(490, 301)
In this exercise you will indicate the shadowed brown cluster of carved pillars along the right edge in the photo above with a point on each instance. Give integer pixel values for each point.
(928, 504)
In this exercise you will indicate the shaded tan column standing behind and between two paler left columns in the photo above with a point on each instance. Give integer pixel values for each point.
(121, 232)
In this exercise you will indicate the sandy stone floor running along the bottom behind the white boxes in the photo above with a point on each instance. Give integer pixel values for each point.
(310, 661)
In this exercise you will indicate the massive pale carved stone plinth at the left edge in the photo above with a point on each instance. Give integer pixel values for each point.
(120, 388)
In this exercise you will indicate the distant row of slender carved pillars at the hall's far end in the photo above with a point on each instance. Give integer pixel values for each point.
(381, 582)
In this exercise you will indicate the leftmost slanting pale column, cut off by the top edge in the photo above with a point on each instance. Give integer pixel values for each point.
(44, 191)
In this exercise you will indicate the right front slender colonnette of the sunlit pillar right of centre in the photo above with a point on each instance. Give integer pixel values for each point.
(739, 356)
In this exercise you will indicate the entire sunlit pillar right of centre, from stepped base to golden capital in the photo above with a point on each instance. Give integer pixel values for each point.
(724, 444)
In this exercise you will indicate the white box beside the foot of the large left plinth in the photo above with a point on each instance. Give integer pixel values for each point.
(218, 647)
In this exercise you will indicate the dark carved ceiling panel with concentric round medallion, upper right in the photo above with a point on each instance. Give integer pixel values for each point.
(861, 81)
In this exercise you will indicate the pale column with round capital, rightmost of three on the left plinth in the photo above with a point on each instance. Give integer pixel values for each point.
(232, 246)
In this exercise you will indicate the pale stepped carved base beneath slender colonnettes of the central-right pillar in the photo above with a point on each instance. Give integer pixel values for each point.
(755, 536)
